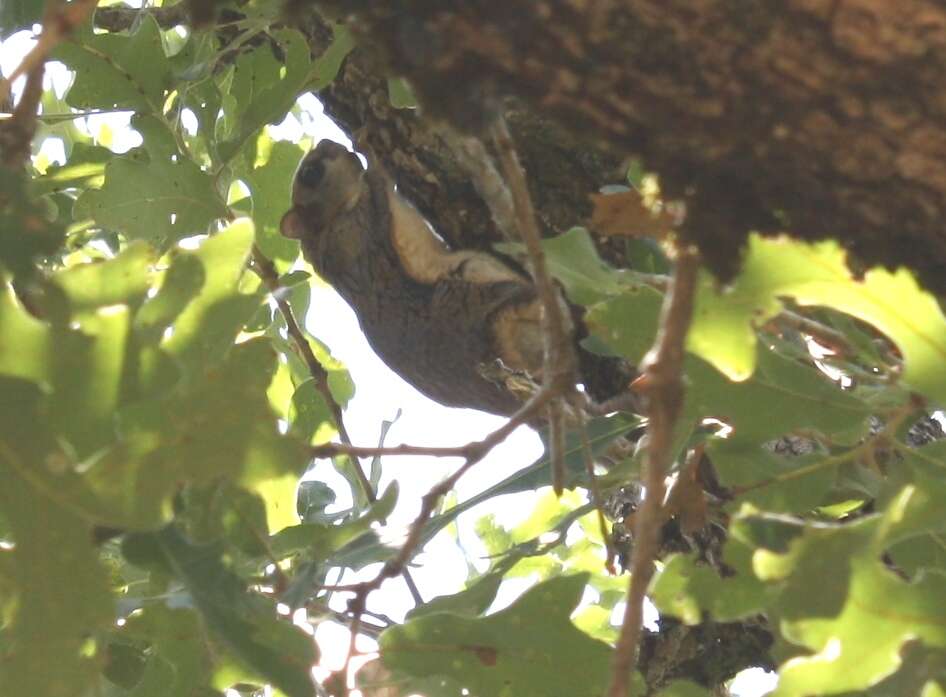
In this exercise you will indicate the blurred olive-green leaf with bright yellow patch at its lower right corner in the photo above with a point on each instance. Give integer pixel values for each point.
(218, 425)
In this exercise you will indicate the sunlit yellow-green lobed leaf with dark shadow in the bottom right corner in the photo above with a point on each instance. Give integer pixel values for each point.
(838, 599)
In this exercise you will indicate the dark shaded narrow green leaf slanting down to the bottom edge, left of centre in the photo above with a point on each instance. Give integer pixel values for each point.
(245, 622)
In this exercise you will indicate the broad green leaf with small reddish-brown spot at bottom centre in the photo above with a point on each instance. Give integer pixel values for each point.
(519, 650)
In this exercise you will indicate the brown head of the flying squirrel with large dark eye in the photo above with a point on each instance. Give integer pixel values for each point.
(329, 182)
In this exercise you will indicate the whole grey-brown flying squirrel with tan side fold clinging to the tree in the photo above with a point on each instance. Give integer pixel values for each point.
(434, 315)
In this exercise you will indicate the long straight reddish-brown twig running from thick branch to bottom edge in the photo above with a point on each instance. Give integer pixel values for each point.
(662, 383)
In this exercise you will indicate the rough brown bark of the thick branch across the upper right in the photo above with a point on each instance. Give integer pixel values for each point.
(822, 118)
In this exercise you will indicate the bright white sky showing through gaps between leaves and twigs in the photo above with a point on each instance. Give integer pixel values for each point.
(379, 395)
